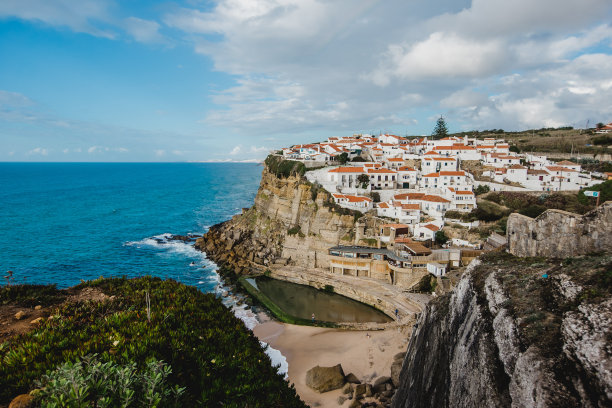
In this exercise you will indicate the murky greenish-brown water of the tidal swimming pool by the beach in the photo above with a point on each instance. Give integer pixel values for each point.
(302, 301)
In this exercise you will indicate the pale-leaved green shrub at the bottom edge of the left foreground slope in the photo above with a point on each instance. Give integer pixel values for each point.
(90, 382)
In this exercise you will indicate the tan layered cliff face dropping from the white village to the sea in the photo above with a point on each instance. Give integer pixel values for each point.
(292, 222)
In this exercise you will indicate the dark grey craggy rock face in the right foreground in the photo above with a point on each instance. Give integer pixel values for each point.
(509, 337)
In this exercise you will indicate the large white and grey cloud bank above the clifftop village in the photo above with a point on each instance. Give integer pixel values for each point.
(308, 65)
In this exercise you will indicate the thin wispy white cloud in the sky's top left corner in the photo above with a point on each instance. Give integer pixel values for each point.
(80, 16)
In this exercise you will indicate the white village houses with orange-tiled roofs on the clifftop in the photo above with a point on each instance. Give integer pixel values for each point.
(419, 185)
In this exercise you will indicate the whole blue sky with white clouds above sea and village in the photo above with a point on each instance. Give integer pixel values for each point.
(140, 80)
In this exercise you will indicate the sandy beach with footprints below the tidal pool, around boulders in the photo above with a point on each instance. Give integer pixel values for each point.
(368, 357)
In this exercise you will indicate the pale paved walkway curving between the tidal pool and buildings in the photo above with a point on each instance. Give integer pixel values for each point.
(381, 295)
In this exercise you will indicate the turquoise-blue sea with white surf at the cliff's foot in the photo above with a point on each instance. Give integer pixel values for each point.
(63, 222)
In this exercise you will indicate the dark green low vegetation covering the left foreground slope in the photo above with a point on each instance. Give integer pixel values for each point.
(140, 325)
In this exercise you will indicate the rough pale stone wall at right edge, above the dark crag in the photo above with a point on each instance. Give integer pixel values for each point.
(561, 234)
